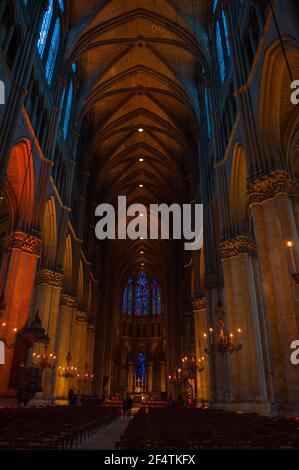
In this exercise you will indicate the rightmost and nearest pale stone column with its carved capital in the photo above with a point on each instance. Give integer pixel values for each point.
(273, 220)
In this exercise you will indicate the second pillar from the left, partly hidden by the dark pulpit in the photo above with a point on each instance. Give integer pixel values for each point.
(49, 285)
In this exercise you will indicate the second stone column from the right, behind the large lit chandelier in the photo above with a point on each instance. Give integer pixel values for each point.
(248, 381)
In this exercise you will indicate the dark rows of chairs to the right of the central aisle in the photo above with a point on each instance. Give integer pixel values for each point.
(183, 428)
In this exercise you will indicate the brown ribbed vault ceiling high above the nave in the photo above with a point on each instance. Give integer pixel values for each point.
(139, 64)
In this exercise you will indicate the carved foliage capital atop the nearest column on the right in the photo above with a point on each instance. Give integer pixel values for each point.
(277, 182)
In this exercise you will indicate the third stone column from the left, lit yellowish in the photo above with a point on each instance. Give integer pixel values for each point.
(68, 305)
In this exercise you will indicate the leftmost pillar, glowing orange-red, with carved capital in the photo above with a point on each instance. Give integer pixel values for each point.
(17, 277)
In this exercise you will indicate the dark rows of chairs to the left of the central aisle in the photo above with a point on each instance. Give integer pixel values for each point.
(58, 427)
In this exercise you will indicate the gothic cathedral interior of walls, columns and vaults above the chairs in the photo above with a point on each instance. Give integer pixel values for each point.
(165, 102)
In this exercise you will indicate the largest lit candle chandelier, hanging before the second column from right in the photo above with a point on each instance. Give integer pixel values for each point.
(224, 340)
